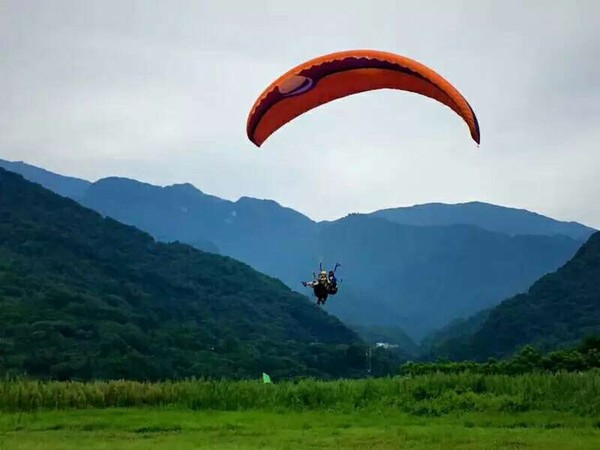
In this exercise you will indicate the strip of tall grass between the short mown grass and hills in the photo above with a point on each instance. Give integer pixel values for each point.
(432, 395)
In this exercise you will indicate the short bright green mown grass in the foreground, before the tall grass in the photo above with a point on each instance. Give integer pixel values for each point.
(156, 428)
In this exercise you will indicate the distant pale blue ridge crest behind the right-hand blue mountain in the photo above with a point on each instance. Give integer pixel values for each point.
(495, 218)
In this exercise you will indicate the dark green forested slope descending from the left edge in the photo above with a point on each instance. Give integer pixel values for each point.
(87, 297)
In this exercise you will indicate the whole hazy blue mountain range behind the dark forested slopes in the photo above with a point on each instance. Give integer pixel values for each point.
(414, 268)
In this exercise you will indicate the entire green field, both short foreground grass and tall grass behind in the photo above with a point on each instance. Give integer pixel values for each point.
(460, 411)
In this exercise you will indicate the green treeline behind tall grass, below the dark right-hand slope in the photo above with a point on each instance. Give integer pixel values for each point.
(582, 358)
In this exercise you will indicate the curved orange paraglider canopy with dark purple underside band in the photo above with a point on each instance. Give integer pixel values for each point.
(330, 77)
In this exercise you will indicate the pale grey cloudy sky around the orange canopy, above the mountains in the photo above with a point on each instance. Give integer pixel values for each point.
(160, 91)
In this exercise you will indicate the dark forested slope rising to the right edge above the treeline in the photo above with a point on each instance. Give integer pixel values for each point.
(559, 309)
